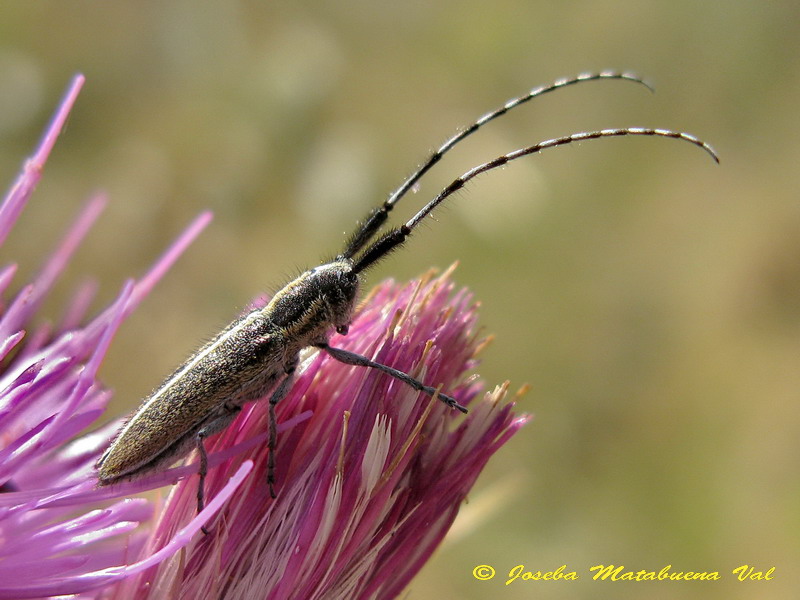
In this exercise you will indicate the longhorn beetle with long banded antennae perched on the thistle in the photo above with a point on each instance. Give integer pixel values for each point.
(258, 352)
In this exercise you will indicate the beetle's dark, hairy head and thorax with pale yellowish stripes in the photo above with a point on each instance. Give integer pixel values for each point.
(311, 306)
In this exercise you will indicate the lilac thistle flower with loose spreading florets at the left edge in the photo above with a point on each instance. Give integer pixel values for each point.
(48, 395)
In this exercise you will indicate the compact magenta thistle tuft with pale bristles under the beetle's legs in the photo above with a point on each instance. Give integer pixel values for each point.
(370, 472)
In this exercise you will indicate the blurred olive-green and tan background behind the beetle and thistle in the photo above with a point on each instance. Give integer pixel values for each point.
(650, 297)
